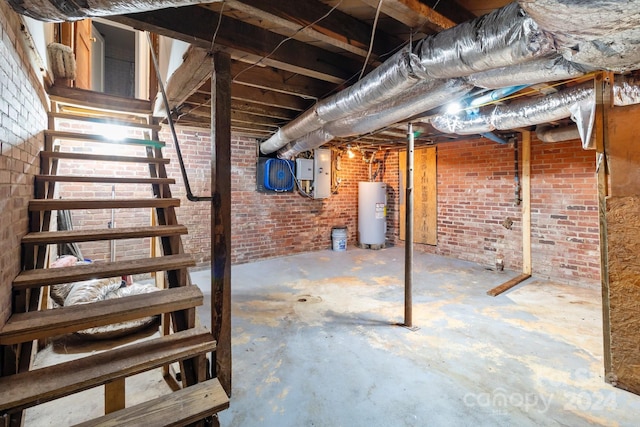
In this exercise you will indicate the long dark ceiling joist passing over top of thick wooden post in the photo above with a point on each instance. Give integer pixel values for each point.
(196, 25)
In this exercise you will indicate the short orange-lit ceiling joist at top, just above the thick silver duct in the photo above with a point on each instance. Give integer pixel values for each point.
(413, 14)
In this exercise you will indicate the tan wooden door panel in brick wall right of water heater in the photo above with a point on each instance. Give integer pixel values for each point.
(425, 202)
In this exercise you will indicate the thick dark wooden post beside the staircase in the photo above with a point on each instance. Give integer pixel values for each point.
(221, 217)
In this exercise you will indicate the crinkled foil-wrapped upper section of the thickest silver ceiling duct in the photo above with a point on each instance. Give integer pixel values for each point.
(506, 36)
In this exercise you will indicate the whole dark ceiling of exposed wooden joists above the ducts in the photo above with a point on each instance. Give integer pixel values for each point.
(288, 55)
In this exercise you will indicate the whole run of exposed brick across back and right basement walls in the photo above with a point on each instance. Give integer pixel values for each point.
(476, 199)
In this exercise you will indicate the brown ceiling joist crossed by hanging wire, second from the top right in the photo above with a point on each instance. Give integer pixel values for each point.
(336, 28)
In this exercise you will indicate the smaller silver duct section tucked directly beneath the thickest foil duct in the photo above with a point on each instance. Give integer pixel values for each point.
(548, 69)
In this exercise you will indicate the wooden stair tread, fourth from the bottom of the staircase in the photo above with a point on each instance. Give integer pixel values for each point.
(56, 276)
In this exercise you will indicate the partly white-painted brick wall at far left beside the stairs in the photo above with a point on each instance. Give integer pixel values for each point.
(22, 120)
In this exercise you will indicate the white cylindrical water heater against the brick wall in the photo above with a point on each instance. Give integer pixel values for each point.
(372, 213)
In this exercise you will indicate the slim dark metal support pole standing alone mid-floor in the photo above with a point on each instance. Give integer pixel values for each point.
(408, 244)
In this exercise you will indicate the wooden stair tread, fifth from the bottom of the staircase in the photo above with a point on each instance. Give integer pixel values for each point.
(69, 236)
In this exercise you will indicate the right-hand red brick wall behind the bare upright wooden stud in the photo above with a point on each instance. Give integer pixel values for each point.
(476, 196)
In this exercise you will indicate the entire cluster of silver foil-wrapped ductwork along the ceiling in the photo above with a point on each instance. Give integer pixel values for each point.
(523, 43)
